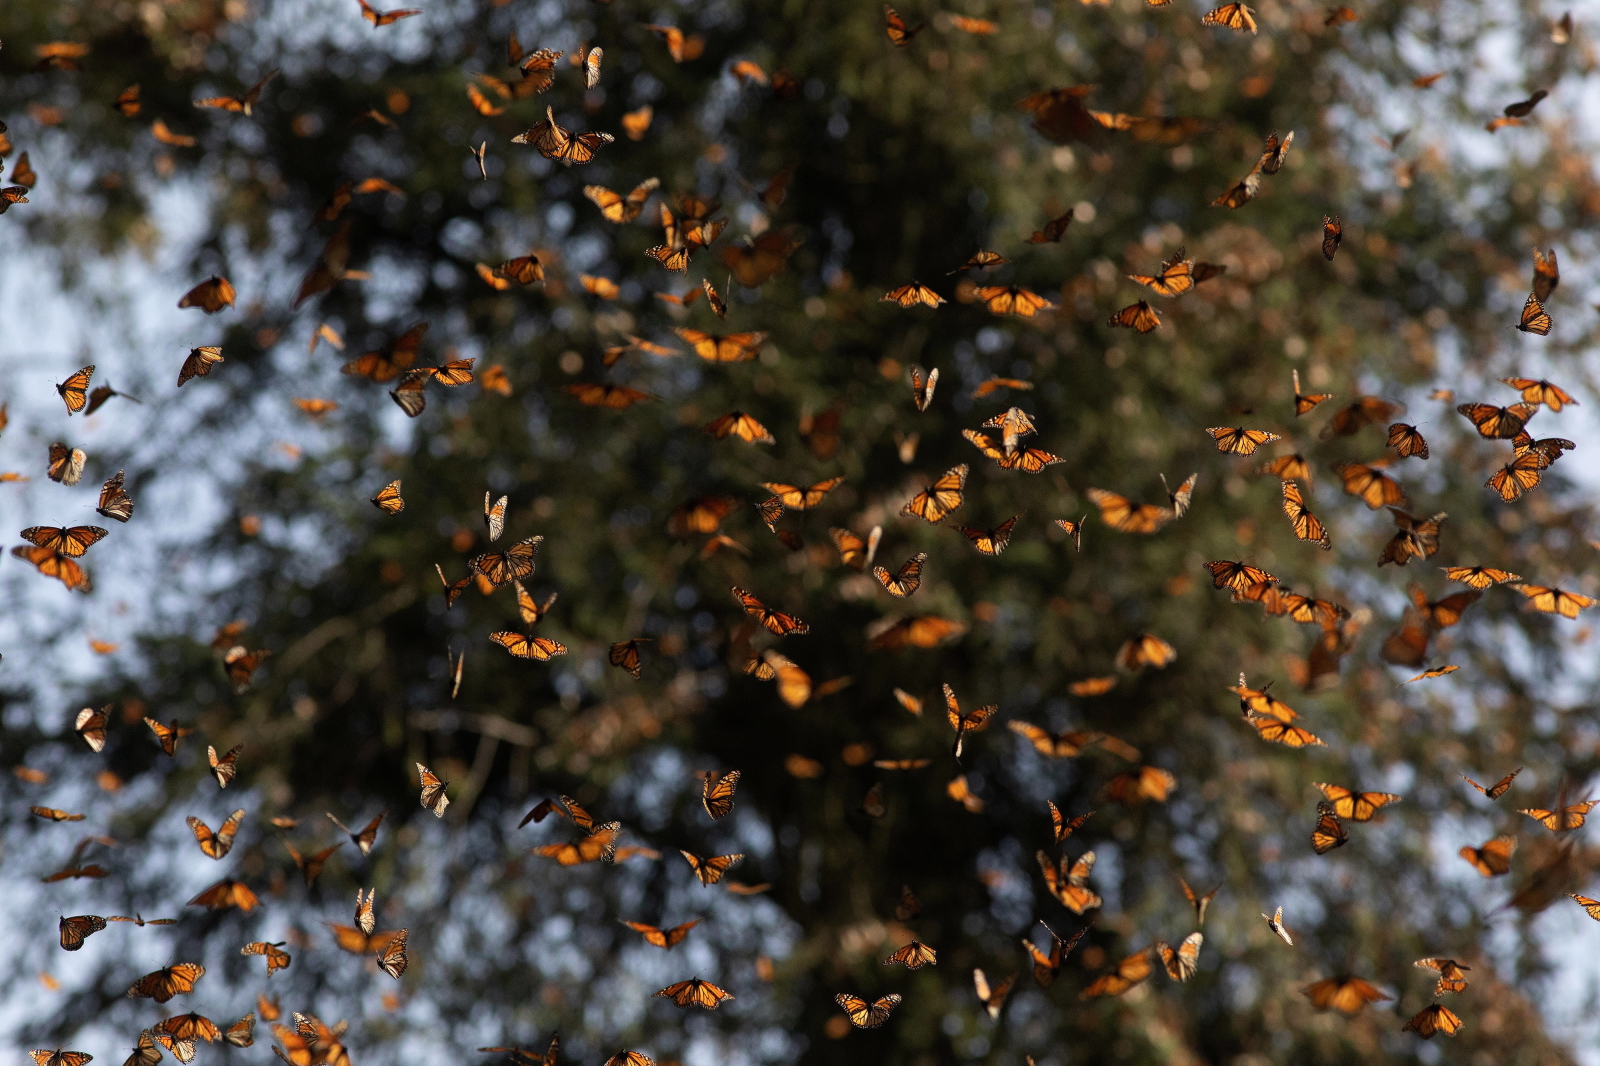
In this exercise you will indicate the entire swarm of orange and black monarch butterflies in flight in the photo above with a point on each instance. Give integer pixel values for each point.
(689, 226)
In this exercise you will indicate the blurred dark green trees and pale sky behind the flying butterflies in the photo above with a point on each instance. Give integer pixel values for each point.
(846, 169)
